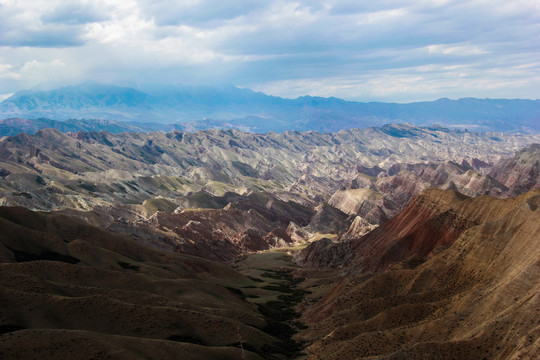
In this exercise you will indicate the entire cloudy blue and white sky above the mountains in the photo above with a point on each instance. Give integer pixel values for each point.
(385, 50)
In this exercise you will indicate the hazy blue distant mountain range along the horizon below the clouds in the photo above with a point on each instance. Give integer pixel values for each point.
(202, 107)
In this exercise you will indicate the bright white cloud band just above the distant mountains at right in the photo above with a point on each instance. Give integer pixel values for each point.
(412, 84)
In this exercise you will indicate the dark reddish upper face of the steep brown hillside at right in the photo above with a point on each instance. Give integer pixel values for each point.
(432, 220)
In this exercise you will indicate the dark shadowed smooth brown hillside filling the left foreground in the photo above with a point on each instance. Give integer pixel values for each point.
(104, 294)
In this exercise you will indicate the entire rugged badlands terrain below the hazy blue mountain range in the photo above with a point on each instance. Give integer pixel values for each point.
(392, 242)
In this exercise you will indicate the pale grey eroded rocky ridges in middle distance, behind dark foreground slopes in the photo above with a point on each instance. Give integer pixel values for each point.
(270, 180)
